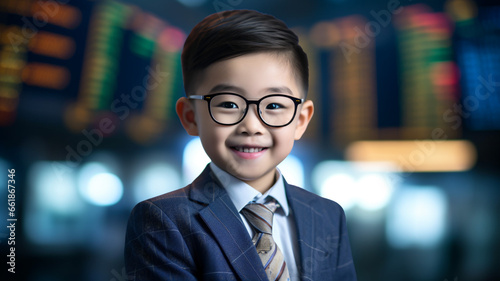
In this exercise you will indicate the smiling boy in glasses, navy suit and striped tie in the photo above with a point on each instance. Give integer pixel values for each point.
(246, 80)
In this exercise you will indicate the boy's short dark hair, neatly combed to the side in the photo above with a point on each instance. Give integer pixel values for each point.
(230, 34)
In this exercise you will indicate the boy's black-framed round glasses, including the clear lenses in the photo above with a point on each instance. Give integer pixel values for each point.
(230, 109)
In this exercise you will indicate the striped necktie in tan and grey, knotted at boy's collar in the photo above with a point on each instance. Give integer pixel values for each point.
(260, 217)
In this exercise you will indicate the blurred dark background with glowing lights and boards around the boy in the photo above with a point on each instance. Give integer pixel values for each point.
(405, 135)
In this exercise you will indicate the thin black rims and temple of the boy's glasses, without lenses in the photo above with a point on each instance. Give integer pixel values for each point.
(209, 98)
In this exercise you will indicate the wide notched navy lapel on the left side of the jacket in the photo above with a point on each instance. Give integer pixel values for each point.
(223, 220)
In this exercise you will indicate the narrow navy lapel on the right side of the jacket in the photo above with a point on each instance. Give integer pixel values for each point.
(304, 222)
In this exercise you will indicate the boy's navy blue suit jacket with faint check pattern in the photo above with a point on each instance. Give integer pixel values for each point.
(196, 233)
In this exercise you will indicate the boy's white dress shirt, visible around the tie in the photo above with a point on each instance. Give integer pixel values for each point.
(284, 231)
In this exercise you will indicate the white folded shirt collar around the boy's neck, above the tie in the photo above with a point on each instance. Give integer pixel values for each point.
(241, 193)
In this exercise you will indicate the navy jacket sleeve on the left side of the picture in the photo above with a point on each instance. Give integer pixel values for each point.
(155, 248)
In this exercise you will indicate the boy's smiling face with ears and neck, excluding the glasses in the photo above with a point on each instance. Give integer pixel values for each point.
(252, 76)
